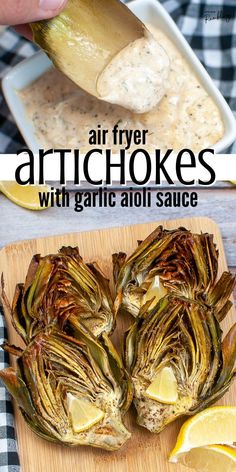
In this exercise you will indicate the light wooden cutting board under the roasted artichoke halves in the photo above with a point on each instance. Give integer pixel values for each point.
(145, 452)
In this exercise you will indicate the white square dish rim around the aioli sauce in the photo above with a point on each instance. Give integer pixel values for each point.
(149, 11)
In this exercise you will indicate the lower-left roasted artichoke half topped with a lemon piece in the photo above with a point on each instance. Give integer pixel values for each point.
(71, 391)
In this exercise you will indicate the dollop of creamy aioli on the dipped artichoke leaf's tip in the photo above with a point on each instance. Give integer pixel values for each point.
(136, 78)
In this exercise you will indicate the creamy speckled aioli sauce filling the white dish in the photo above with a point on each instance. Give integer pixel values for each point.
(63, 114)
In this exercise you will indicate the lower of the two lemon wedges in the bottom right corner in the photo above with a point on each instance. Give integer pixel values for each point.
(211, 459)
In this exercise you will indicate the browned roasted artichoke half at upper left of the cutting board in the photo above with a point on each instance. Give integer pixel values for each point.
(61, 289)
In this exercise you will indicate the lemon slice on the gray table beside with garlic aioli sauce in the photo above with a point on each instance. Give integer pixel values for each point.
(25, 196)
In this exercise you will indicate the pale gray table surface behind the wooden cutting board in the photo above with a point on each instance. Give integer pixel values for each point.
(218, 203)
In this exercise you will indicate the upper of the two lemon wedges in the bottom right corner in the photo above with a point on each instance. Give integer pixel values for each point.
(215, 425)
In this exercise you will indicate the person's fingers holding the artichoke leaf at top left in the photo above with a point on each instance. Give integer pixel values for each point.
(21, 12)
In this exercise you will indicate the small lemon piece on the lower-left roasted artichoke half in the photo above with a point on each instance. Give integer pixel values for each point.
(83, 414)
